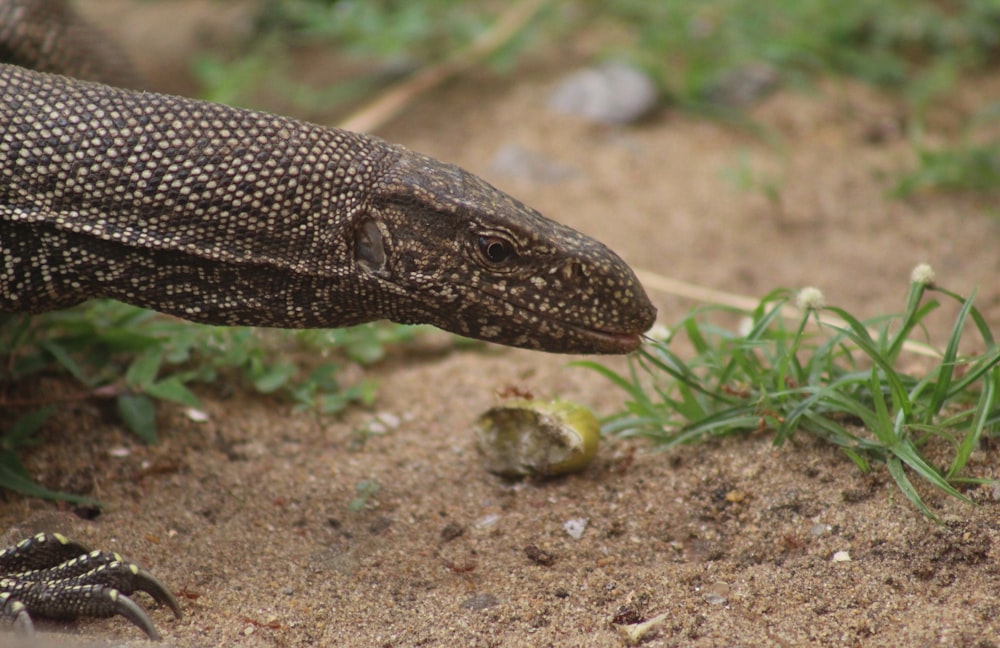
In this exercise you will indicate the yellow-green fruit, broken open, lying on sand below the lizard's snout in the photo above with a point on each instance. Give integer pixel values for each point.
(527, 437)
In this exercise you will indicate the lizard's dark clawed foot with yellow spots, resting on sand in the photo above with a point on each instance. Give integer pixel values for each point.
(47, 575)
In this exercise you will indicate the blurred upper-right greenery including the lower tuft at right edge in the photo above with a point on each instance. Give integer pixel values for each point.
(919, 50)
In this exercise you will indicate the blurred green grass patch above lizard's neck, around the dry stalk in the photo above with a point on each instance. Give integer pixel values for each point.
(390, 40)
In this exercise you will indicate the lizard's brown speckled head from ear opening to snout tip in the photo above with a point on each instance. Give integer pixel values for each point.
(455, 252)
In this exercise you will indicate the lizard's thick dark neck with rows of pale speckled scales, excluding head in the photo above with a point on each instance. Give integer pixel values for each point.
(192, 208)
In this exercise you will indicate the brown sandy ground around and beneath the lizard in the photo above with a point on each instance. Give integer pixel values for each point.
(247, 516)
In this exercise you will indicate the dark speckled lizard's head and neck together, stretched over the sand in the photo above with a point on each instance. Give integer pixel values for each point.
(229, 216)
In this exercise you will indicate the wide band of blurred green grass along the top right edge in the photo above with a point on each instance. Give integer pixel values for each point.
(901, 44)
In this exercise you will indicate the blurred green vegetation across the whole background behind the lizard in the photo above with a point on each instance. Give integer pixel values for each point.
(919, 50)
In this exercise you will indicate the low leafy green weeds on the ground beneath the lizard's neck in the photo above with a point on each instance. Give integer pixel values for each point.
(139, 359)
